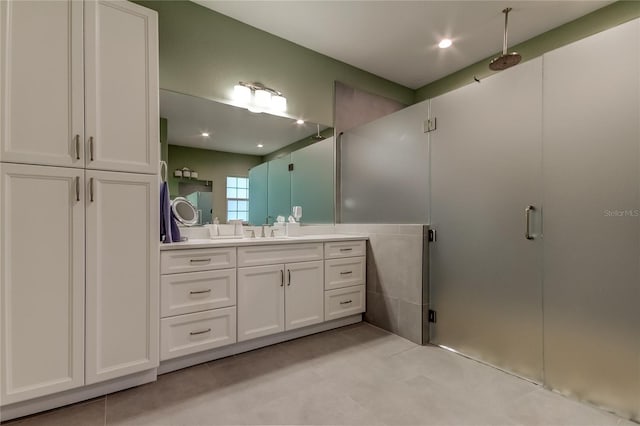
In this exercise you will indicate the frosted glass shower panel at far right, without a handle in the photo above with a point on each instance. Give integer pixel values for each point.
(591, 224)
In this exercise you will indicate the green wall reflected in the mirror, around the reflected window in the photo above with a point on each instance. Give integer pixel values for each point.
(210, 165)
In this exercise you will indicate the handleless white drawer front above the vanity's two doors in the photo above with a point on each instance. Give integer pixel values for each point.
(275, 254)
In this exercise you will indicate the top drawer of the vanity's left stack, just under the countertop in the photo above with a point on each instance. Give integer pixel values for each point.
(192, 260)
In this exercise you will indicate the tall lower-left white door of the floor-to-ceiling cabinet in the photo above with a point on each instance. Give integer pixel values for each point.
(42, 281)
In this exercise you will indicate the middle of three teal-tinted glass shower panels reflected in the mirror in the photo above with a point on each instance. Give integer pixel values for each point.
(279, 188)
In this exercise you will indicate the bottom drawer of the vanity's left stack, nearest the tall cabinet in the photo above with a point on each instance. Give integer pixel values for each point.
(191, 333)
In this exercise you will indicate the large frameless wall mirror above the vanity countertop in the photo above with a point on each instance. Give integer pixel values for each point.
(231, 163)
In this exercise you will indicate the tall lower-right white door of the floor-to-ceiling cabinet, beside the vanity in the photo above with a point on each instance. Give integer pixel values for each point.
(122, 274)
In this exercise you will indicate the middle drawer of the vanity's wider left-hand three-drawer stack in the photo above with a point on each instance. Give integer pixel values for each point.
(197, 291)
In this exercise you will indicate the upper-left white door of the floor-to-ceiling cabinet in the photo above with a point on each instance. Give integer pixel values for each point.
(41, 83)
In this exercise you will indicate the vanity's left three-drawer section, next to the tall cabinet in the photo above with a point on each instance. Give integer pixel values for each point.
(198, 298)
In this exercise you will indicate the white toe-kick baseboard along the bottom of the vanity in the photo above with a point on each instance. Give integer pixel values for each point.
(249, 345)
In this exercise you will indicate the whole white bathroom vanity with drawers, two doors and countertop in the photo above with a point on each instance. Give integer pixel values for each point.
(227, 296)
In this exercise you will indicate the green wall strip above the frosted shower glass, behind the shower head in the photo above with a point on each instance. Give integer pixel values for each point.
(597, 21)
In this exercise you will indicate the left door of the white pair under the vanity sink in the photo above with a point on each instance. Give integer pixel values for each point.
(260, 301)
